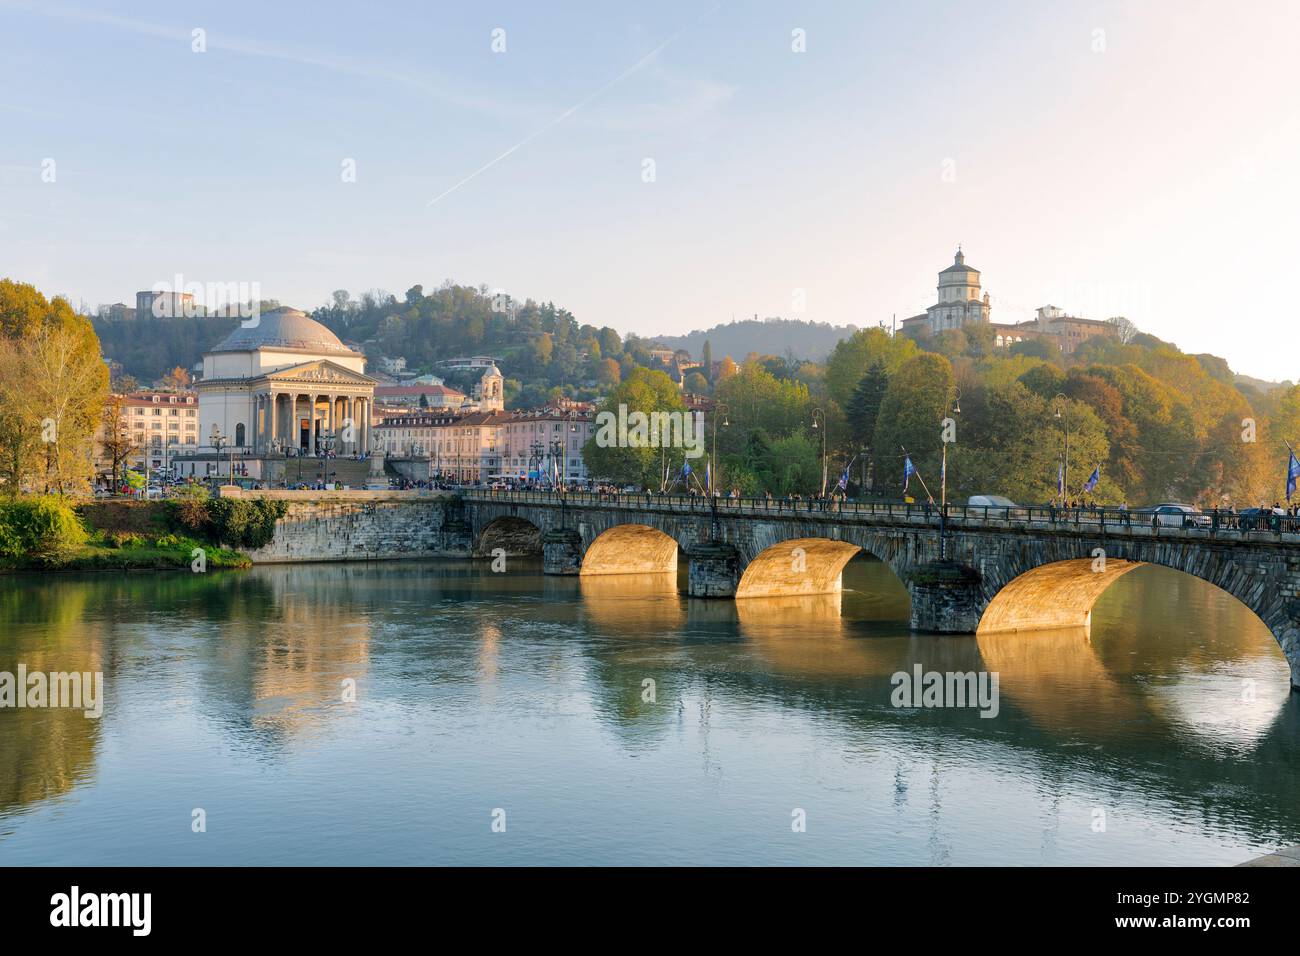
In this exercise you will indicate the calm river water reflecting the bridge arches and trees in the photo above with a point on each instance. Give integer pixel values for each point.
(483, 690)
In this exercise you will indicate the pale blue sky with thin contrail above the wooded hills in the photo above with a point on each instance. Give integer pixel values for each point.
(669, 167)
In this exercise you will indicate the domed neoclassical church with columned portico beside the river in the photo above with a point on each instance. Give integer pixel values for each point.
(284, 384)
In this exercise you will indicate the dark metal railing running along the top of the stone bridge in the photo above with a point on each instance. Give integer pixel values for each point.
(1104, 520)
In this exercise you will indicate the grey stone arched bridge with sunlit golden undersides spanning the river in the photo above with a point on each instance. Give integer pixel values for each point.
(983, 570)
